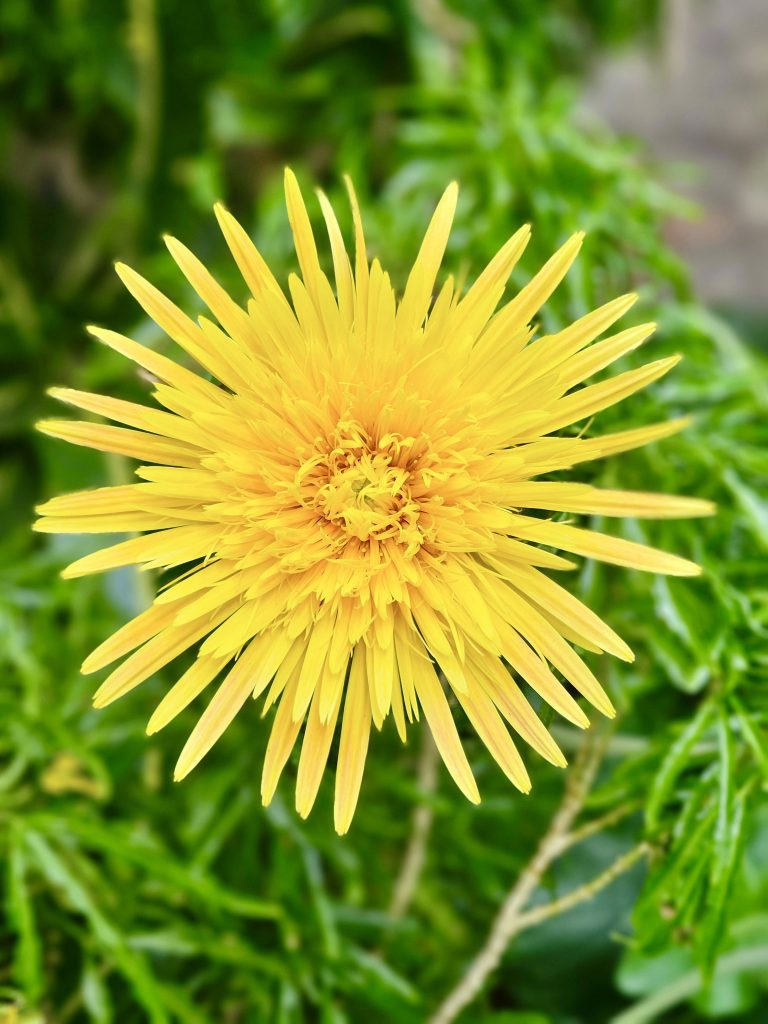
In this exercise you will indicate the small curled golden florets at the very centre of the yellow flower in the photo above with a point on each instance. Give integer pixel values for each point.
(363, 487)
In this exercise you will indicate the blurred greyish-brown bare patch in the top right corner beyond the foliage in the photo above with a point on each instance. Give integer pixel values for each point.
(699, 95)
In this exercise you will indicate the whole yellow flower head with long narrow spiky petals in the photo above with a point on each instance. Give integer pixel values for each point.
(347, 490)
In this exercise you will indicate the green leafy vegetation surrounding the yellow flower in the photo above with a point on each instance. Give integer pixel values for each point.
(129, 900)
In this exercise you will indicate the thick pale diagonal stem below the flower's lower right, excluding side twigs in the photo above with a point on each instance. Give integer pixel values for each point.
(505, 926)
